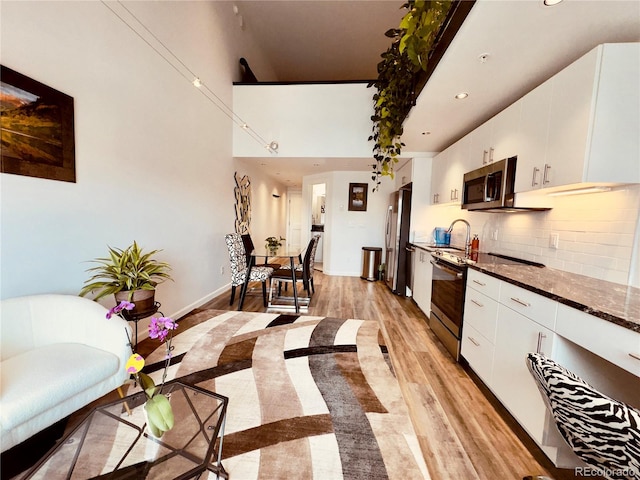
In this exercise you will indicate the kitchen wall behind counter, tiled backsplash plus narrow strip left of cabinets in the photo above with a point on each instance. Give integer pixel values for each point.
(598, 232)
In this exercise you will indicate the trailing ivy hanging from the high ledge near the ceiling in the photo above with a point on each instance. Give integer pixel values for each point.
(398, 71)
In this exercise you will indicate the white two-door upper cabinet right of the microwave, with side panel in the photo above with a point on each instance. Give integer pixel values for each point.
(582, 124)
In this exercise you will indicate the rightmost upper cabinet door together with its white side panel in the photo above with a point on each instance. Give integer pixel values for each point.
(594, 118)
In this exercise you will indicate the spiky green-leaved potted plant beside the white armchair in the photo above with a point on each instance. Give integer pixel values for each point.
(129, 274)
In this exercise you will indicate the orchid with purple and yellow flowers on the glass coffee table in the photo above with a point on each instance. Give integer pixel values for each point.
(158, 410)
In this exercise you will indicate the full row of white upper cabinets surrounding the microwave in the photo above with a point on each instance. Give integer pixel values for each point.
(580, 126)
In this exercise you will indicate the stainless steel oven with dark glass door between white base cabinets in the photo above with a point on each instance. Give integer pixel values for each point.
(447, 299)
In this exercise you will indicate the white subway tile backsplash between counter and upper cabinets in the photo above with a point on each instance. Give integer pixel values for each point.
(597, 234)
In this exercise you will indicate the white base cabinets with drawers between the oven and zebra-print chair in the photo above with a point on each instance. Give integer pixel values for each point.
(496, 340)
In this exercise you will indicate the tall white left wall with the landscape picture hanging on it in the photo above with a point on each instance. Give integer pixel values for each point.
(153, 155)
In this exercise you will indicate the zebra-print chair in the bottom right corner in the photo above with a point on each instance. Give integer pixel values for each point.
(602, 432)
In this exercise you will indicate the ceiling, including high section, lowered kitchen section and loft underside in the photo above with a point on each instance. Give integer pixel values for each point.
(527, 43)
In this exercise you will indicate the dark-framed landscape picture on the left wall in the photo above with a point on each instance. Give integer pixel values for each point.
(36, 128)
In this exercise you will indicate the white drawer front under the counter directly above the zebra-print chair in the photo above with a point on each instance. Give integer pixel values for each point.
(612, 342)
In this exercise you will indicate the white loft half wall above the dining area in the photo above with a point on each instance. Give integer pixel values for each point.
(308, 120)
